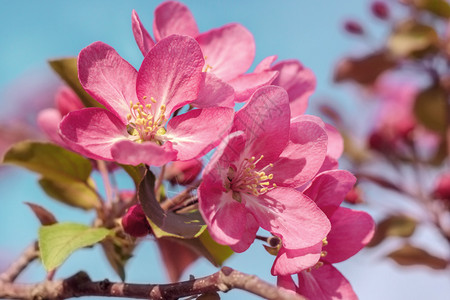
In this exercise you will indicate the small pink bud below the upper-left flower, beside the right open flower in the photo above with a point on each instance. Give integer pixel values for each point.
(183, 172)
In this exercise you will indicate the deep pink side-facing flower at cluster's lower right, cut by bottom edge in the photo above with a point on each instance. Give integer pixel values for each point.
(350, 231)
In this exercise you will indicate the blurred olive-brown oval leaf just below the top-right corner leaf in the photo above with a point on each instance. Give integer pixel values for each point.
(413, 39)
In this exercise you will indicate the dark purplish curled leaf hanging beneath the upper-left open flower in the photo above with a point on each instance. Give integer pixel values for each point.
(166, 223)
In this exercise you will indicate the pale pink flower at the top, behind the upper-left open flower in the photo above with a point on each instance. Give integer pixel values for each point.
(228, 51)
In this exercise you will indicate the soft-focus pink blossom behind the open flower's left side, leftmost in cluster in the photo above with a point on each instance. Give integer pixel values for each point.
(48, 119)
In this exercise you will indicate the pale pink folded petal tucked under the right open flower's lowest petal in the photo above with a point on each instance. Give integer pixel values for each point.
(294, 261)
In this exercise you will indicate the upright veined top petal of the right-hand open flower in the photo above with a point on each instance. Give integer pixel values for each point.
(265, 122)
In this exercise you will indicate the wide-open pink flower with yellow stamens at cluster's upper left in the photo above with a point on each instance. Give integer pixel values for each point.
(135, 128)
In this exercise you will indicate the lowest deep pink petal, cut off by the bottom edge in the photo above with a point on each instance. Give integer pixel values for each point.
(325, 283)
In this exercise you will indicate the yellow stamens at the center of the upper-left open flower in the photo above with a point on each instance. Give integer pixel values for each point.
(143, 125)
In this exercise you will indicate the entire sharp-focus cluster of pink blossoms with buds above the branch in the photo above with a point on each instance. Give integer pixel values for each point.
(273, 168)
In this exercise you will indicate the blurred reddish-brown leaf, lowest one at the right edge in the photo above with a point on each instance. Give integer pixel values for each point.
(409, 255)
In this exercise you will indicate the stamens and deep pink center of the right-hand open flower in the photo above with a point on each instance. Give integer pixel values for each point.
(249, 178)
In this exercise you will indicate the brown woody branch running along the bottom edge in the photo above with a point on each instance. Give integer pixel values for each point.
(80, 285)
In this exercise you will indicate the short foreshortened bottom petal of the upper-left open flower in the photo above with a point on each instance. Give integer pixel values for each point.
(132, 153)
